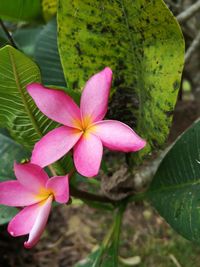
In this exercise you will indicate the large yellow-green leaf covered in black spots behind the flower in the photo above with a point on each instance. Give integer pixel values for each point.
(143, 44)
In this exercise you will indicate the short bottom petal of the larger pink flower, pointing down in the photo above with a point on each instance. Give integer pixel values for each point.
(87, 155)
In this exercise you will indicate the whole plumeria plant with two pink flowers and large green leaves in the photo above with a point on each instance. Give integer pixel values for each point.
(63, 124)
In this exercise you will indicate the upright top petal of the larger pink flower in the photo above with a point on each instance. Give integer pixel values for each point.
(94, 99)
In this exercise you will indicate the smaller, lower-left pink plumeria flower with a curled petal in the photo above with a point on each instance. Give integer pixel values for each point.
(35, 191)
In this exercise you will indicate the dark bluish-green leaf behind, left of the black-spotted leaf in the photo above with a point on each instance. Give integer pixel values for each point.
(47, 56)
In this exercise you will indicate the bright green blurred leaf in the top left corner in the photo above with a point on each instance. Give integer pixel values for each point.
(20, 10)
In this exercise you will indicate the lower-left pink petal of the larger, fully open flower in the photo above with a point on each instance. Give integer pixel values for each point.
(54, 145)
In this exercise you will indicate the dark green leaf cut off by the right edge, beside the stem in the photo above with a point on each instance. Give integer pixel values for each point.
(175, 190)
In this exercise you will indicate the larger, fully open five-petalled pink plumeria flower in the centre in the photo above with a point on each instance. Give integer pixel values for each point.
(83, 130)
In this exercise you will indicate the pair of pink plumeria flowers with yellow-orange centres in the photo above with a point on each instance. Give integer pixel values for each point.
(83, 130)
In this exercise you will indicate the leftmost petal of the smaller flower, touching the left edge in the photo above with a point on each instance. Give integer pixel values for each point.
(13, 194)
